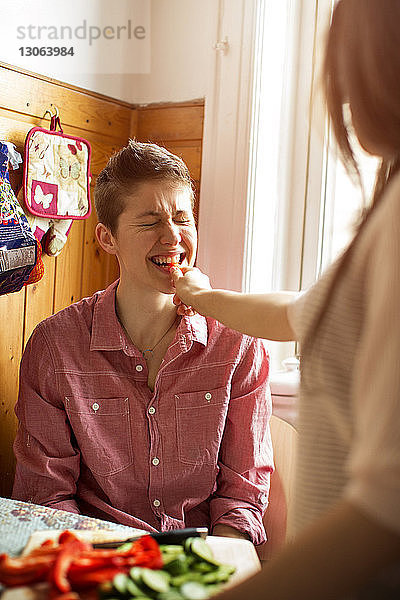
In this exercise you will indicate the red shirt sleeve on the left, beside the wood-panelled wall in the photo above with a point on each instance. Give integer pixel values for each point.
(47, 460)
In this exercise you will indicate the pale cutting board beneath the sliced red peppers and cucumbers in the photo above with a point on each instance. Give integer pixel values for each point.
(239, 553)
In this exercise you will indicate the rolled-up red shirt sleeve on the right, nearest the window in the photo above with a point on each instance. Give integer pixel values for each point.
(245, 458)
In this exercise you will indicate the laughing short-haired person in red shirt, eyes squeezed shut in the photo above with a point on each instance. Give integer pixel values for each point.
(130, 412)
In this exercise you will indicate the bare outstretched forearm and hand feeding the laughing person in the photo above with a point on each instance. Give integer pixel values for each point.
(258, 315)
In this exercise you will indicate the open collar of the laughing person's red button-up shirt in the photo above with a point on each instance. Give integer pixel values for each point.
(108, 333)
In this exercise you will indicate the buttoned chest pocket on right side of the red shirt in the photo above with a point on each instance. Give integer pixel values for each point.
(200, 423)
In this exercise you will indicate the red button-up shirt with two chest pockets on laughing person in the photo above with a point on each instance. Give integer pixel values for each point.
(93, 437)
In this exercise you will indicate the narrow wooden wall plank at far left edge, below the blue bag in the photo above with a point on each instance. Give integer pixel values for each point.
(12, 316)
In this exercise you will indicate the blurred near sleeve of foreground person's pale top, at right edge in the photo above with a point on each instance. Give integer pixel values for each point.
(374, 462)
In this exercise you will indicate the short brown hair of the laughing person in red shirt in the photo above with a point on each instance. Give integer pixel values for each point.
(136, 163)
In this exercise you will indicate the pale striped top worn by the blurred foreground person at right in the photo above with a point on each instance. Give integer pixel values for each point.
(349, 413)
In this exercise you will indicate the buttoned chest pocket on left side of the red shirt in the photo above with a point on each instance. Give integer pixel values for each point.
(102, 430)
